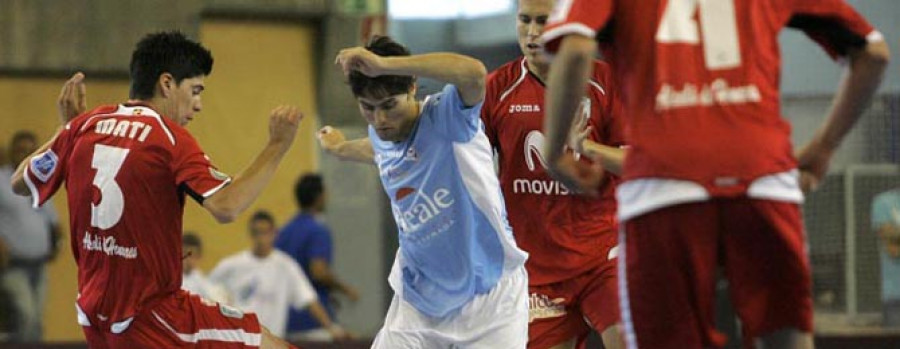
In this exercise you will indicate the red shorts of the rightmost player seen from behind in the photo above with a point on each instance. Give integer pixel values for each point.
(669, 263)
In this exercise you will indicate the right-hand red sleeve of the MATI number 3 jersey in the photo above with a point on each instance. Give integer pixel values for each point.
(194, 173)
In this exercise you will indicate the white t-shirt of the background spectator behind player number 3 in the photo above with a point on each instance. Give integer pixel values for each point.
(267, 286)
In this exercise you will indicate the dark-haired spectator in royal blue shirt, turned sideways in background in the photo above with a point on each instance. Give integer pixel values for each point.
(308, 241)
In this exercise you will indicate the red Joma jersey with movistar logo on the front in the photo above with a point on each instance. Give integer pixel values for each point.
(564, 233)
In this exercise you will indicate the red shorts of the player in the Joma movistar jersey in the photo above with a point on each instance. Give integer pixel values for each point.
(570, 308)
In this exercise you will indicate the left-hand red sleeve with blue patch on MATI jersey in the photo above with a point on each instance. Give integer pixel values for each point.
(46, 171)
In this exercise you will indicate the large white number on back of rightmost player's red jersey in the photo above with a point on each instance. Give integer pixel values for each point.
(721, 48)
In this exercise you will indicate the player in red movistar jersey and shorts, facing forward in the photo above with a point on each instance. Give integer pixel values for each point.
(571, 239)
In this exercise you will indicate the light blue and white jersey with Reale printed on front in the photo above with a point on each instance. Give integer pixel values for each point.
(455, 242)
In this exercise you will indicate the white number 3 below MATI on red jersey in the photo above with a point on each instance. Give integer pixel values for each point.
(107, 161)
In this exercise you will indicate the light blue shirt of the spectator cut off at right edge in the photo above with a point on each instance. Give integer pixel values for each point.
(886, 210)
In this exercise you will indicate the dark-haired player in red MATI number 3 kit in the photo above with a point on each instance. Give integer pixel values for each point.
(127, 169)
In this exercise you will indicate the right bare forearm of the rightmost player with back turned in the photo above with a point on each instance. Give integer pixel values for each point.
(864, 75)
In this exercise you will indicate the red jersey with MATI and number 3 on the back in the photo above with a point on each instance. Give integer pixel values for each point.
(126, 170)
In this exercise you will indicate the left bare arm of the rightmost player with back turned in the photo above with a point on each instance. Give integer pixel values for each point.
(568, 77)
